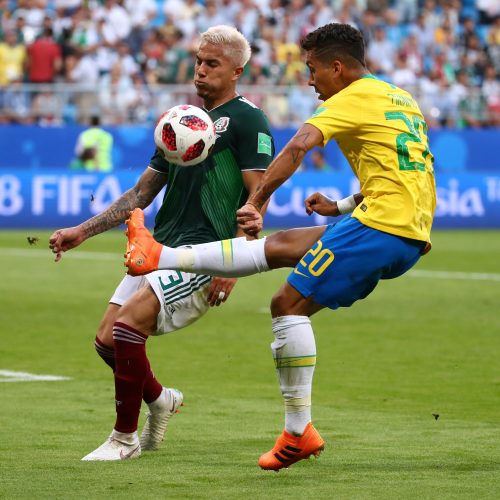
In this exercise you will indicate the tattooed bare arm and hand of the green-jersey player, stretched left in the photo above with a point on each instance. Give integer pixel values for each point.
(140, 196)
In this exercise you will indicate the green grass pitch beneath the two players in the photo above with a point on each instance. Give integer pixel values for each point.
(416, 346)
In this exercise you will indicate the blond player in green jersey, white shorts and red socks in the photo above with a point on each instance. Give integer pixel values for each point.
(199, 206)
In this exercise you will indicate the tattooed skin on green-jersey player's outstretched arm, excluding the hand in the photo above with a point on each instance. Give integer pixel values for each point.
(140, 196)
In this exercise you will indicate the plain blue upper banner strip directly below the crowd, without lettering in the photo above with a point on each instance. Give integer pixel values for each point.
(455, 151)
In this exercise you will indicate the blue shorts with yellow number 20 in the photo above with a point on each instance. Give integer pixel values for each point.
(347, 262)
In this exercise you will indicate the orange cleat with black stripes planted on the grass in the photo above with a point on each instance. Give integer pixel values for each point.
(289, 449)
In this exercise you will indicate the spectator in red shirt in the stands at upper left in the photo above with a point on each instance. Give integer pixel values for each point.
(44, 59)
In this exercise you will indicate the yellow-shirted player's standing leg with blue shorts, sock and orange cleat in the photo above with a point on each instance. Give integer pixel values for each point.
(343, 266)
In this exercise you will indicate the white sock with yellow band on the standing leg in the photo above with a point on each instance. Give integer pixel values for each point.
(294, 352)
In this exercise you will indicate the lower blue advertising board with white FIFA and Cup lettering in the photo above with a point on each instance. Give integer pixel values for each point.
(51, 199)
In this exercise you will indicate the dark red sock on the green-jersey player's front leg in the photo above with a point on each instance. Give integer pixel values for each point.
(131, 372)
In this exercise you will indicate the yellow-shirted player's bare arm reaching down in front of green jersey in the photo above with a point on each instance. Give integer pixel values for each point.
(282, 167)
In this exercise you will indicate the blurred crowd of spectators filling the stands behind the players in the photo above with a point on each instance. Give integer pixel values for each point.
(114, 56)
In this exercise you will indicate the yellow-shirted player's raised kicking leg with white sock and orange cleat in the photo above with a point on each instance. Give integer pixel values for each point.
(233, 258)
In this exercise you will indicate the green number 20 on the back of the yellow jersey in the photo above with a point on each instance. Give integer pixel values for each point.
(412, 136)
